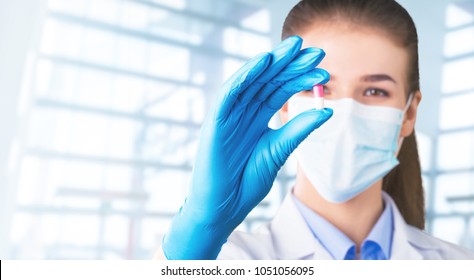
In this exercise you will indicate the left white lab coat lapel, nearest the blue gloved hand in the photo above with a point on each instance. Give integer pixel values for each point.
(288, 237)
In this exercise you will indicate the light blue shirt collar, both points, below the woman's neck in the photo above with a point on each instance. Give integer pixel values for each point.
(337, 243)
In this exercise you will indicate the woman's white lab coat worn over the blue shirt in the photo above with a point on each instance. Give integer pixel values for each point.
(287, 237)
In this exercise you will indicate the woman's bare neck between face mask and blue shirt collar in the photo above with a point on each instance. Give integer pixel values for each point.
(355, 217)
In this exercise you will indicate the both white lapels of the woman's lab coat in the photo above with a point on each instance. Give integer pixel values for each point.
(287, 237)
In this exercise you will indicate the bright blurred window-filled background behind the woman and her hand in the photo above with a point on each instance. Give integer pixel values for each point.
(101, 103)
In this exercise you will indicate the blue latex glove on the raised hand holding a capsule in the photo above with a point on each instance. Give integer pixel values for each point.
(239, 155)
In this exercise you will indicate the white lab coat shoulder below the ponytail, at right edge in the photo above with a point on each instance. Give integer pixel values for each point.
(435, 248)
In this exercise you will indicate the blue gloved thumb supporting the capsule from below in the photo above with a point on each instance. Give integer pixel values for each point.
(287, 138)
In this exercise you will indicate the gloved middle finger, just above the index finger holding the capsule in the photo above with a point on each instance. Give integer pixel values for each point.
(306, 61)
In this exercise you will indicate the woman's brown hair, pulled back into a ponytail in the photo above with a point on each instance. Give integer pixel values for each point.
(403, 183)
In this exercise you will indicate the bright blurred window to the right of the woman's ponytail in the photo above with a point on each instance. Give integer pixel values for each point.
(453, 207)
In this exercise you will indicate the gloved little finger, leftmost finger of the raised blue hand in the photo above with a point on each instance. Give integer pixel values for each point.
(239, 82)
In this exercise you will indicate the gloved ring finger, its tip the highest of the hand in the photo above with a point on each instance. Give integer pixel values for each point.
(282, 55)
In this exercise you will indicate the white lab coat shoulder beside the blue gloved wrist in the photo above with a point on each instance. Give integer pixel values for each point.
(249, 246)
